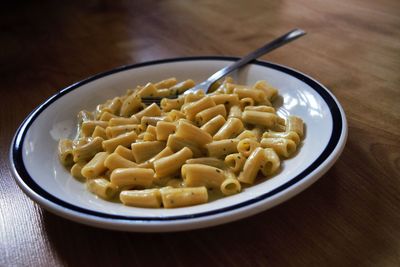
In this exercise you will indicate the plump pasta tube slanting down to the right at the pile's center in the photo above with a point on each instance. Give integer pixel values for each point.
(188, 131)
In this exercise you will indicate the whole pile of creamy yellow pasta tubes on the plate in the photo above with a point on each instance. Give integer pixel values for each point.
(176, 154)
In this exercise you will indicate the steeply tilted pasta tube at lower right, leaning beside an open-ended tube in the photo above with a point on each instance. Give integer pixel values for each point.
(252, 166)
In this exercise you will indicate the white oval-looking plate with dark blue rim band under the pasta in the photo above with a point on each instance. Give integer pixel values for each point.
(36, 168)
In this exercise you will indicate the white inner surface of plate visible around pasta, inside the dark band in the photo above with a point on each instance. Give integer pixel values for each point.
(58, 120)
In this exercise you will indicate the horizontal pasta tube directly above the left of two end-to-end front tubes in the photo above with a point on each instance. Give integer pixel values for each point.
(132, 177)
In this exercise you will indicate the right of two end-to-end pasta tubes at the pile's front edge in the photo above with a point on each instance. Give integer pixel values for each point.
(181, 197)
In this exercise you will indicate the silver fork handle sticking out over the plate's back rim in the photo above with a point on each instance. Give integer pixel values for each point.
(284, 39)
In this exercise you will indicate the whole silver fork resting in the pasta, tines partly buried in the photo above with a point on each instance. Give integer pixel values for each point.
(206, 85)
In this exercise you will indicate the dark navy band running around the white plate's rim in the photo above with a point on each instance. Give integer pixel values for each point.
(22, 175)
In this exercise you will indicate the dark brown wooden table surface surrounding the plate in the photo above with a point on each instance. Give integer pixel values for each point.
(351, 216)
